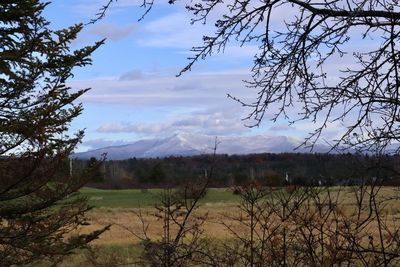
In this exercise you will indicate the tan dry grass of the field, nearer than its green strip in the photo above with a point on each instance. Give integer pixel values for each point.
(126, 221)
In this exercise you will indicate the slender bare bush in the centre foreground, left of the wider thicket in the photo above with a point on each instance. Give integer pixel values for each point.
(182, 229)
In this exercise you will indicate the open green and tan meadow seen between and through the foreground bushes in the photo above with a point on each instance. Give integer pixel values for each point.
(121, 210)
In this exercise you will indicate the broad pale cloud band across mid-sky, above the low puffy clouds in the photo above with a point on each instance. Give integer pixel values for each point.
(202, 90)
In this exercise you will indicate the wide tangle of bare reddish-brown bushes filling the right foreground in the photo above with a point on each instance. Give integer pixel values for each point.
(298, 226)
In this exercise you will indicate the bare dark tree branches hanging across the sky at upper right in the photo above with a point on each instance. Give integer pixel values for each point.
(297, 43)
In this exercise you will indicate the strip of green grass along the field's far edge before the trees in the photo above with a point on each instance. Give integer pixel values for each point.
(136, 198)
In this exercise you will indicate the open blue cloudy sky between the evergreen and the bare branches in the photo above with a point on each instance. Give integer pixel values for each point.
(135, 92)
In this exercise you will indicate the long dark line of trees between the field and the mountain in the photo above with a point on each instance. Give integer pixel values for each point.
(234, 170)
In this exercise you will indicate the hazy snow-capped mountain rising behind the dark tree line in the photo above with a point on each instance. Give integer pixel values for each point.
(185, 144)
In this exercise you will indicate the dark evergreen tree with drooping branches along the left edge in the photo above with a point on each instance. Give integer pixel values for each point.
(37, 212)
